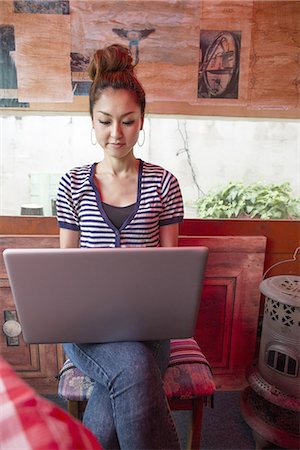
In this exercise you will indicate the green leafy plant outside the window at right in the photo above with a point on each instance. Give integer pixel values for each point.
(256, 200)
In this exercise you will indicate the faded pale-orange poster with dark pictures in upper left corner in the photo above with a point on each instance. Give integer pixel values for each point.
(35, 52)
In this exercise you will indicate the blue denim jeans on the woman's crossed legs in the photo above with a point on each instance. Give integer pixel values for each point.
(128, 408)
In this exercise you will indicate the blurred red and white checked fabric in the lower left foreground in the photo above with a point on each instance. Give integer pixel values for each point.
(30, 422)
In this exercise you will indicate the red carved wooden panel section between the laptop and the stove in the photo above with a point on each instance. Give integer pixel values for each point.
(230, 304)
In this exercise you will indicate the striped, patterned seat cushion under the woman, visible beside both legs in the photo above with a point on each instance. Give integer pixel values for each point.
(188, 375)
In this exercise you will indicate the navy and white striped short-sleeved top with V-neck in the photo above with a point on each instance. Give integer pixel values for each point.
(79, 208)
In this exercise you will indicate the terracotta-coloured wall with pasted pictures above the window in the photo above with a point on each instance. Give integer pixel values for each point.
(172, 47)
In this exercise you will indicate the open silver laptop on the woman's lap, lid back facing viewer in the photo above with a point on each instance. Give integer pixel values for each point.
(106, 294)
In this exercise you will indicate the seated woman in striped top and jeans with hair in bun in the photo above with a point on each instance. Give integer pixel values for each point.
(121, 201)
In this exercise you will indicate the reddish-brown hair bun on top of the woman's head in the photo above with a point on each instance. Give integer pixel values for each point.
(114, 58)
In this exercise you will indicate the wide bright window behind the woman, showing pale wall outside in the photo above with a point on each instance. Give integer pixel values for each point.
(205, 154)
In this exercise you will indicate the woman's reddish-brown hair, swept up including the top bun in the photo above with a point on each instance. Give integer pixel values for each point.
(112, 67)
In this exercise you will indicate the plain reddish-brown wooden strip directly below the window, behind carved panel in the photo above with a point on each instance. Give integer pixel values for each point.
(283, 236)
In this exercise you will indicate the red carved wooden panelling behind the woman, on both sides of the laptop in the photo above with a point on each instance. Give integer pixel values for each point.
(227, 322)
